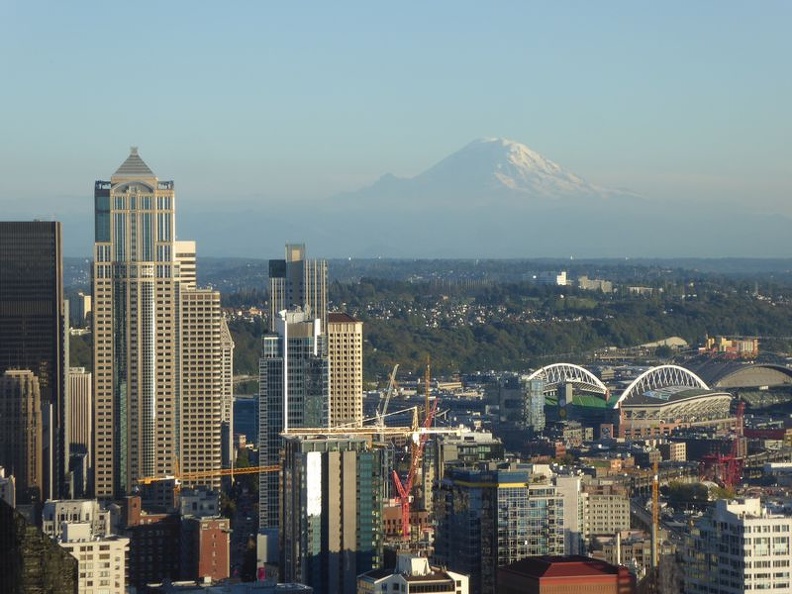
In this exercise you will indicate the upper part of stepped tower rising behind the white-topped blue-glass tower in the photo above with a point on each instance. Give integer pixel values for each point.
(297, 282)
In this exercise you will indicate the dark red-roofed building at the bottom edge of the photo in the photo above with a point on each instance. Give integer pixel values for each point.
(571, 574)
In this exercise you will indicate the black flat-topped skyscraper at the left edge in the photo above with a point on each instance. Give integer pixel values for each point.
(33, 325)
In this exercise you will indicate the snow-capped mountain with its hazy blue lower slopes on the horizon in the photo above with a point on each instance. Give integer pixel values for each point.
(493, 198)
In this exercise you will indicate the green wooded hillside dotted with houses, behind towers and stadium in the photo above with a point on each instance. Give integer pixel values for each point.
(467, 325)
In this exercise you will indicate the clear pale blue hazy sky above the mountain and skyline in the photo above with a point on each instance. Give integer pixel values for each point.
(273, 100)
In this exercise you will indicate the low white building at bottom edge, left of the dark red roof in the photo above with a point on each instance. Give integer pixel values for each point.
(412, 574)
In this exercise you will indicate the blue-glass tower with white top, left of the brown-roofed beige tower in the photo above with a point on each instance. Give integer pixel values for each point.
(293, 386)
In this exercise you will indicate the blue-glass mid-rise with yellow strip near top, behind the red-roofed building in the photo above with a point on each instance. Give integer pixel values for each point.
(495, 515)
